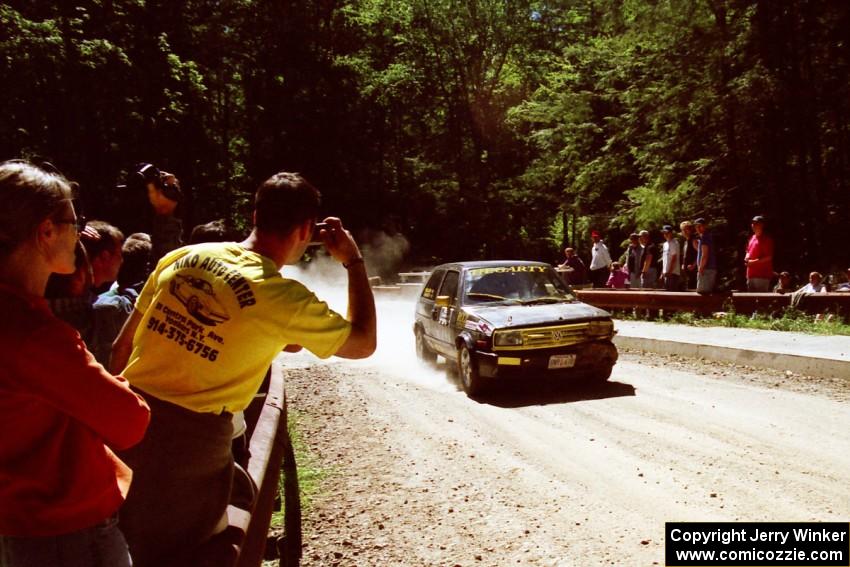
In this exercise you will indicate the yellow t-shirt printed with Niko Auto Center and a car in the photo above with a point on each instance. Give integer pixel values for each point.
(214, 317)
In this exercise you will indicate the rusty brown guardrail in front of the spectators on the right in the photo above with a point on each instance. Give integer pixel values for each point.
(741, 302)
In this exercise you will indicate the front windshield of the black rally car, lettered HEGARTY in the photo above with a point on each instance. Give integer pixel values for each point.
(515, 284)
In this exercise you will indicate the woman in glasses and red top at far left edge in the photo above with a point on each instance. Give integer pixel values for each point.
(61, 413)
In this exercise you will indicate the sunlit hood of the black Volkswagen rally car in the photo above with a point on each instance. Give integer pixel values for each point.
(503, 316)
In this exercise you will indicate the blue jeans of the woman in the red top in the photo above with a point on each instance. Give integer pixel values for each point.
(101, 545)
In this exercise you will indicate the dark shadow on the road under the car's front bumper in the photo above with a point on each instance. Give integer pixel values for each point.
(540, 394)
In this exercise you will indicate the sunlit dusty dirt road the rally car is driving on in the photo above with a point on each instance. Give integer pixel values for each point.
(421, 475)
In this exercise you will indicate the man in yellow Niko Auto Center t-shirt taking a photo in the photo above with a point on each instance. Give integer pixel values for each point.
(209, 321)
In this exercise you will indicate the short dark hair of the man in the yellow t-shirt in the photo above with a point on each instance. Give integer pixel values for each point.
(284, 201)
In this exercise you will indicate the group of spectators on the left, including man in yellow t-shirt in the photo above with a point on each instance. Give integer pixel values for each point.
(128, 363)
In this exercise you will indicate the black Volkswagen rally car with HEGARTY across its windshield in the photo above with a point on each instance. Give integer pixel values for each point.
(500, 318)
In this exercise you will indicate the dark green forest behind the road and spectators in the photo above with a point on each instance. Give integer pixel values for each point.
(469, 129)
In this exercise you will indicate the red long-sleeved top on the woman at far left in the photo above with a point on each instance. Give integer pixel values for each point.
(59, 409)
